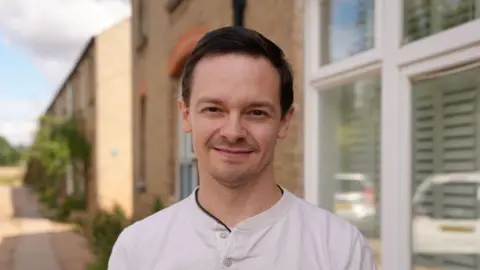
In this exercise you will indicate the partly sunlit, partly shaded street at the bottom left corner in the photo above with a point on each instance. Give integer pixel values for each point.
(29, 241)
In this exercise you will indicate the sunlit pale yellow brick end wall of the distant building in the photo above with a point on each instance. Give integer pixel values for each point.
(113, 151)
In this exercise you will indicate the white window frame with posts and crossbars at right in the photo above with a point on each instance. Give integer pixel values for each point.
(397, 65)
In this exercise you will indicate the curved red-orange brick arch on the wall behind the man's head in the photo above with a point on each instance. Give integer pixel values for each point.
(183, 48)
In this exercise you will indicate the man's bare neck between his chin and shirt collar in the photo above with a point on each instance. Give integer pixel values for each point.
(233, 205)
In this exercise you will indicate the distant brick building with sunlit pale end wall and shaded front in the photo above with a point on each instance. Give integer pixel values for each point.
(97, 93)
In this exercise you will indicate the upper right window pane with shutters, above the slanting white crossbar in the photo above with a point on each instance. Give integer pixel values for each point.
(427, 17)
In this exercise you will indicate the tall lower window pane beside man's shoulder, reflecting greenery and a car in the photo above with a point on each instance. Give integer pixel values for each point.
(350, 171)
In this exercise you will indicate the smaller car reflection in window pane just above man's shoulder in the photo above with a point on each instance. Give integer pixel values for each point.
(355, 201)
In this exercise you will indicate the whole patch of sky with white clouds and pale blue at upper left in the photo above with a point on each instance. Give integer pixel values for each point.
(39, 42)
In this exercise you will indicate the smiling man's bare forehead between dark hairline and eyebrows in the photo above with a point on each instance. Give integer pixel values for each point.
(235, 77)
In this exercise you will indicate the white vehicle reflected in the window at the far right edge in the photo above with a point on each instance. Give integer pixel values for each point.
(446, 215)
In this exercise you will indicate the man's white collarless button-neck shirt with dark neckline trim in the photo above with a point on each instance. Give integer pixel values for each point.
(291, 235)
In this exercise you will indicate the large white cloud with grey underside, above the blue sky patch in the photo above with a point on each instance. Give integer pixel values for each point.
(53, 32)
